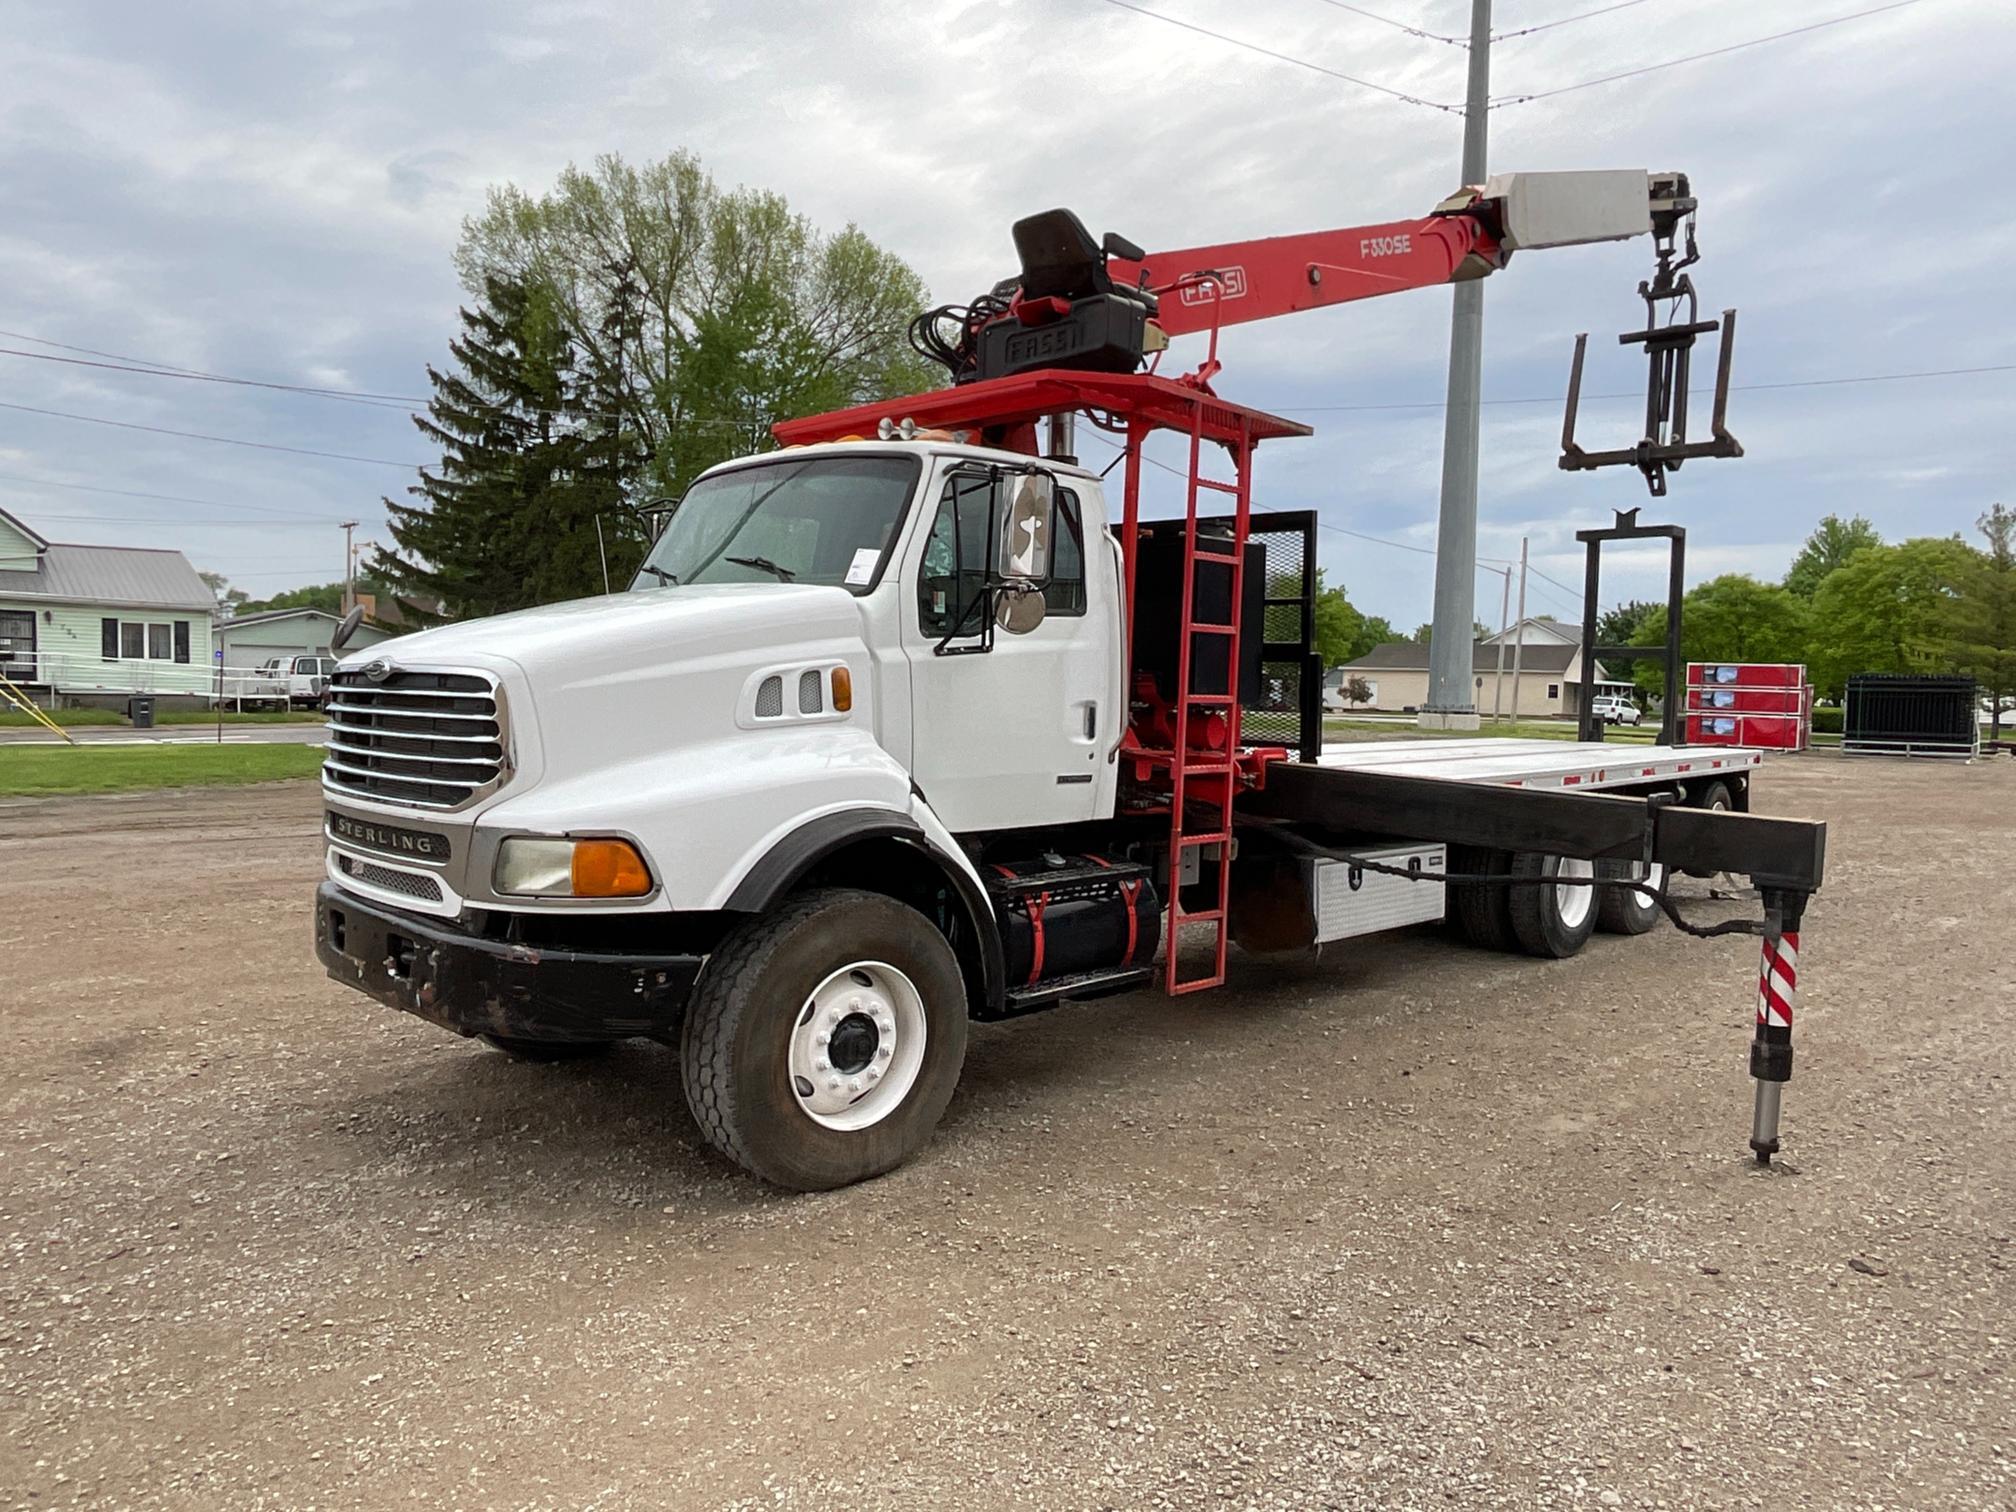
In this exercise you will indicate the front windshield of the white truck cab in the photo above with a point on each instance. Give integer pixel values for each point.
(828, 521)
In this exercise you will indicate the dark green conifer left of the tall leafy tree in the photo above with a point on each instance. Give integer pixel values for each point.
(533, 459)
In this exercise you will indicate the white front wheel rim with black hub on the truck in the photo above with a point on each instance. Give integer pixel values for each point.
(858, 1047)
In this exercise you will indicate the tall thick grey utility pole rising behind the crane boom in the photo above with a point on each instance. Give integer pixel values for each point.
(1451, 705)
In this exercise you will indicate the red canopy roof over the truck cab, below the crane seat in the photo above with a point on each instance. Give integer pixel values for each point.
(1025, 398)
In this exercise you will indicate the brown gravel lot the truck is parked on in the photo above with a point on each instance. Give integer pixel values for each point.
(1416, 1227)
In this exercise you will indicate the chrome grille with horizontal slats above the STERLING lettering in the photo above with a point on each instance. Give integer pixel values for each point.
(416, 739)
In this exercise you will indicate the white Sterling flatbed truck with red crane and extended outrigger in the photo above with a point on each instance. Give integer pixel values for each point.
(914, 723)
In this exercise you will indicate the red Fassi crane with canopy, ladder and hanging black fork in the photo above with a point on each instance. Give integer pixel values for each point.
(1074, 330)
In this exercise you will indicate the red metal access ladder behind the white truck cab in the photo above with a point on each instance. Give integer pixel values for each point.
(1217, 767)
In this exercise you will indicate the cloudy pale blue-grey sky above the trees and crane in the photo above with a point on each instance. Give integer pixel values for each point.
(273, 193)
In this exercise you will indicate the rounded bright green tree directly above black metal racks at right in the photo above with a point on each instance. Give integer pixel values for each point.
(1890, 610)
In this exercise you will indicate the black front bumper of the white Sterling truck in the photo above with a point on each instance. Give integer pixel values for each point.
(493, 987)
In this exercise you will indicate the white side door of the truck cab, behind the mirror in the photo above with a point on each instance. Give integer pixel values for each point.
(1007, 733)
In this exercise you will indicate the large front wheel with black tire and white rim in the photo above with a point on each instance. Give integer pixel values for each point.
(826, 1039)
